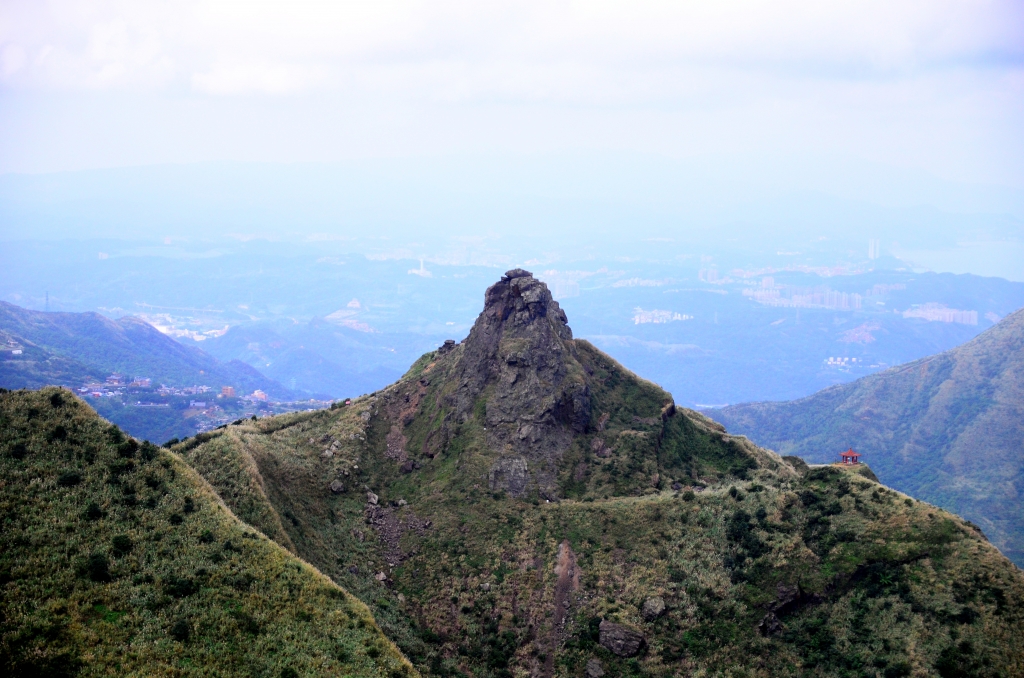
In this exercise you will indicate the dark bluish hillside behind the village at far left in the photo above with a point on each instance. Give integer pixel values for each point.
(69, 349)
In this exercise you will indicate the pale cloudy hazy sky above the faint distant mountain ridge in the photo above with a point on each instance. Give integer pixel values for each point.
(931, 86)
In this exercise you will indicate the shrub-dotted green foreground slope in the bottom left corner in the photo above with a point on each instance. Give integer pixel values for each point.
(116, 559)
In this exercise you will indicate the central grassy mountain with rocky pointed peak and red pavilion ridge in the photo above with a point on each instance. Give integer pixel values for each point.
(521, 504)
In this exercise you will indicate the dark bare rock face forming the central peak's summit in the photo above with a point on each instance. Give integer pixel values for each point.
(521, 356)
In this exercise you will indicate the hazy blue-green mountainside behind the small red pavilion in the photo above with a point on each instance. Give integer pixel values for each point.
(948, 429)
